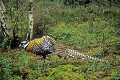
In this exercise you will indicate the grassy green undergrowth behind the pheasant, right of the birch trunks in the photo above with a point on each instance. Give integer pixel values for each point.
(80, 27)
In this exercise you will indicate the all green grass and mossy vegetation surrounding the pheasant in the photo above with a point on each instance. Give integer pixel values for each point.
(93, 28)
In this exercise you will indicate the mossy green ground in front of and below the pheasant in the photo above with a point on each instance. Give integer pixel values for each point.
(19, 65)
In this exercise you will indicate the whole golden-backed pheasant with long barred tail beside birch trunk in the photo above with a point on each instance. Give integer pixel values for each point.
(47, 45)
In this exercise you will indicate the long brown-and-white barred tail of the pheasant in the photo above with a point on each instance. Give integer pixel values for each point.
(61, 50)
